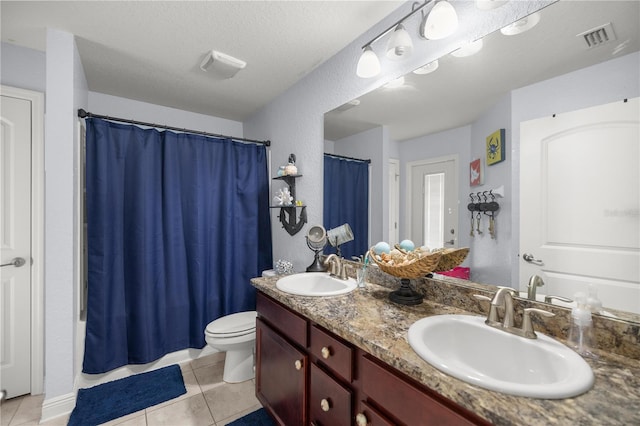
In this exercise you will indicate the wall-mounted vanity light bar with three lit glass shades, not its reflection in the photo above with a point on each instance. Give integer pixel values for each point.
(439, 23)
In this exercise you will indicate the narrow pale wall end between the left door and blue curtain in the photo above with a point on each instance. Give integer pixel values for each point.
(62, 76)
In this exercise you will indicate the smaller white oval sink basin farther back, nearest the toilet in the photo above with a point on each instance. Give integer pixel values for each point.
(315, 284)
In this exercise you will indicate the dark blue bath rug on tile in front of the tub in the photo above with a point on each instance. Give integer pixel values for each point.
(111, 400)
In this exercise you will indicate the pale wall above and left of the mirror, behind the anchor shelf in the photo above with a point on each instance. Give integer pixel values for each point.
(294, 121)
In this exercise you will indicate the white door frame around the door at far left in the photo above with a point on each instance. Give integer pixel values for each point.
(37, 231)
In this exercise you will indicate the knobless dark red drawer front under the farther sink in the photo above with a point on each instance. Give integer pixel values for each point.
(288, 322)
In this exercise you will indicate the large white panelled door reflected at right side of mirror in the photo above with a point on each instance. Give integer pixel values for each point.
(580, 206)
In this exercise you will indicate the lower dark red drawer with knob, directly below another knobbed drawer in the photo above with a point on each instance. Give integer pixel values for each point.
(329, 401)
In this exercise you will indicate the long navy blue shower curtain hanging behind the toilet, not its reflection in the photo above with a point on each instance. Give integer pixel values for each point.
(177, 225)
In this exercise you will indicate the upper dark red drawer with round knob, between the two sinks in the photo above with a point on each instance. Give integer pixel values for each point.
(332, 352)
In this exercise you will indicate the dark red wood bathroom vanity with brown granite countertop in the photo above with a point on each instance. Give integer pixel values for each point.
(345, 360)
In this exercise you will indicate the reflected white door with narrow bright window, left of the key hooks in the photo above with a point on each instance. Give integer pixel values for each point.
(433, 199)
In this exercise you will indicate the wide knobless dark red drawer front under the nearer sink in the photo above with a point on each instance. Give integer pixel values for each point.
(407, 404)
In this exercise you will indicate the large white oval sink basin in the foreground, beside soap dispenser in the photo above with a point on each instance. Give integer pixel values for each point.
(464, 347)
